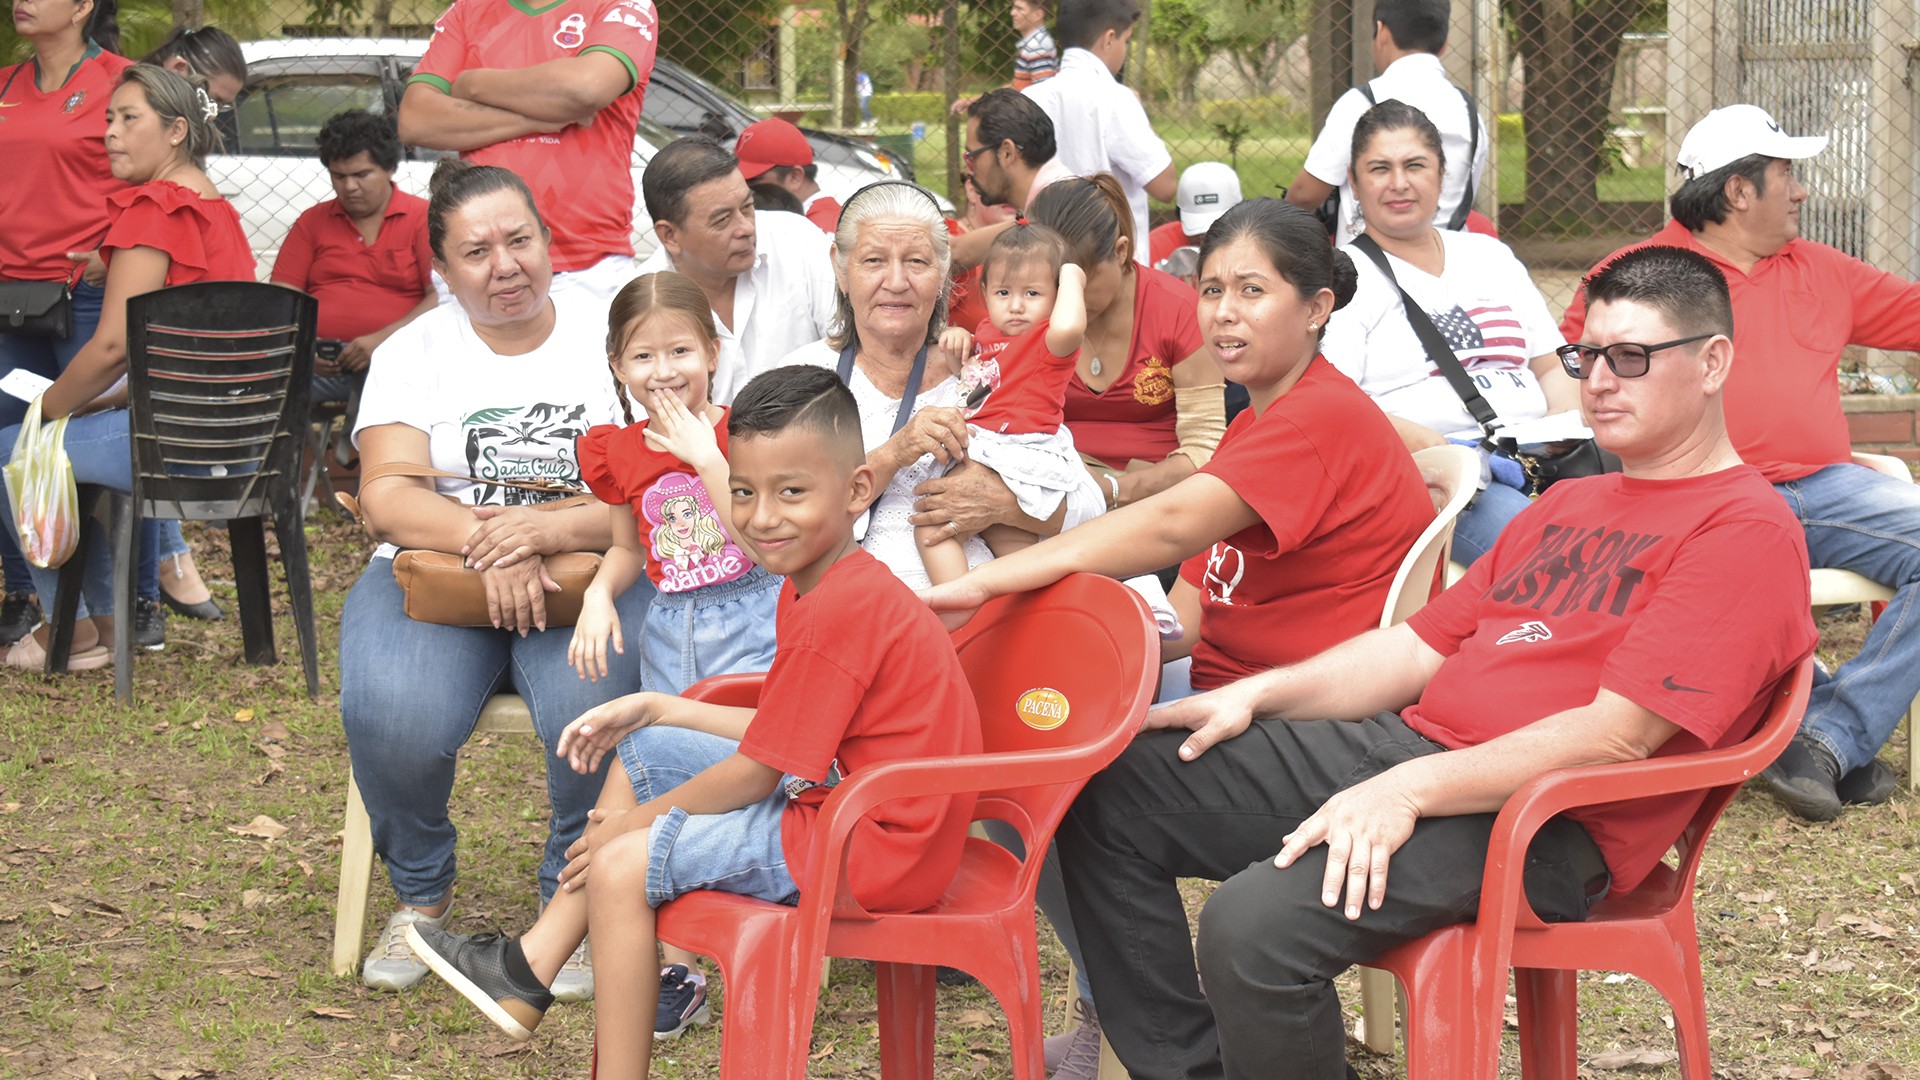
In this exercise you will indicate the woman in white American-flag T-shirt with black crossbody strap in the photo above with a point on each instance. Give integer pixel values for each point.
(1472, 287)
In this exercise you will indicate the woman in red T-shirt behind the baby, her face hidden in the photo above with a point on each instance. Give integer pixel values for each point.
(1147, 405)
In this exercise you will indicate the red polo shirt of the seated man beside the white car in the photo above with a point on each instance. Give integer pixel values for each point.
(362, 287)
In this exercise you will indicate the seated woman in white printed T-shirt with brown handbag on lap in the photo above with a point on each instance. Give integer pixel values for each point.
(492, 389)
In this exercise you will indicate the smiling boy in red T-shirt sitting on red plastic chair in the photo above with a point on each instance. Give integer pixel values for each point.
(863, 675)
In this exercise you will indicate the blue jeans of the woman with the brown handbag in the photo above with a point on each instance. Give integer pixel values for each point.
(410, 697)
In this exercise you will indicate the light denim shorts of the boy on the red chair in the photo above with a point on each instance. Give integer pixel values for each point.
(731, 852)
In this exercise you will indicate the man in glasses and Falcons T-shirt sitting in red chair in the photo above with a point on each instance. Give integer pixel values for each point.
(1620, 618)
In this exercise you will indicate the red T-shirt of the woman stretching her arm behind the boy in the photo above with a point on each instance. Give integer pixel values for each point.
(1339, 501)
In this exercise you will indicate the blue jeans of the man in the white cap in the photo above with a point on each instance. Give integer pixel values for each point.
(1867, 524)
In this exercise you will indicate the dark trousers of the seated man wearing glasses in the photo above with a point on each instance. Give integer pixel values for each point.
(1268, 950)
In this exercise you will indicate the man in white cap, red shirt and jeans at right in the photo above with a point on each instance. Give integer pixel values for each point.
(1798, 307)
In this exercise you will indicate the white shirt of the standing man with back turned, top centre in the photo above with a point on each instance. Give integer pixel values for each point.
(1101, 128)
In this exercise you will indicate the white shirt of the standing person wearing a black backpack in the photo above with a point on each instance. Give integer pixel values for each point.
(1422, 82)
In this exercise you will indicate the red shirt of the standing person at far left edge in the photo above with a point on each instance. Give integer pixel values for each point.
(57, 180)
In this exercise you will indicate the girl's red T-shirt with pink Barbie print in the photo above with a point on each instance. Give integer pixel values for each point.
(679, 526)
